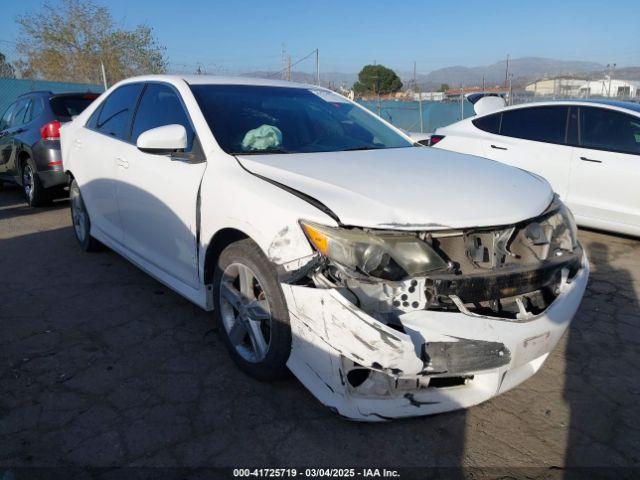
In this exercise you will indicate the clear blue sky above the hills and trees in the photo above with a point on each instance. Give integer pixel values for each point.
(245, 35)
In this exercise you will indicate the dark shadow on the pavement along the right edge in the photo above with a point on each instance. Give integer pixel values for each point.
(602, 387)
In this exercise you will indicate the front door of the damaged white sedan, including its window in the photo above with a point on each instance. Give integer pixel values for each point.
(158, 194)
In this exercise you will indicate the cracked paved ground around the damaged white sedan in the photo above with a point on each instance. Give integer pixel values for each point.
(100, 365)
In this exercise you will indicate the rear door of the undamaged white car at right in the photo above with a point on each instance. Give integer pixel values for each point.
(534, 139)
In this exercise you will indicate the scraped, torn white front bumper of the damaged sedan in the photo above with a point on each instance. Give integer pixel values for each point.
(433, 361)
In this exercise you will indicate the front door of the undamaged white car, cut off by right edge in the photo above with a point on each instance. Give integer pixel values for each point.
(605, 176)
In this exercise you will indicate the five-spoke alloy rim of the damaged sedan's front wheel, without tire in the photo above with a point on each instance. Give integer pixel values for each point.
(245, 312)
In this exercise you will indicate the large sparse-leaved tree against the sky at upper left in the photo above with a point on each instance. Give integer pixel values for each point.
(67, 40)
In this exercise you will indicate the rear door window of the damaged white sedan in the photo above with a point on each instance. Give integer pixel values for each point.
(114, 117)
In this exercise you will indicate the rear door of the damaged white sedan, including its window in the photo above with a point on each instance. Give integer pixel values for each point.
(97, 151)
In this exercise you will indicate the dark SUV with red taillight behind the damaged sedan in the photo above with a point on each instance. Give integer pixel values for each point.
(30, 141)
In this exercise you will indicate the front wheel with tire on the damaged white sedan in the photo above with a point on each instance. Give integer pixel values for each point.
(251, 311)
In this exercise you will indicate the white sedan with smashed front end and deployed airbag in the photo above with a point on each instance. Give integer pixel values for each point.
(392, 280)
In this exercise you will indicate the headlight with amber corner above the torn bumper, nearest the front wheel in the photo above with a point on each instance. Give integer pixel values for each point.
(390, 256)
